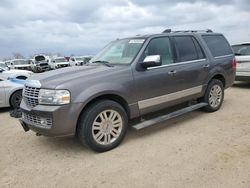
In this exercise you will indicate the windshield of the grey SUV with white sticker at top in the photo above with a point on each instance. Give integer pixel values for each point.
(119, 51)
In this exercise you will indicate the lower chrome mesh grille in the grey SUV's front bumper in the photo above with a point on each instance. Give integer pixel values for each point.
(43, 122)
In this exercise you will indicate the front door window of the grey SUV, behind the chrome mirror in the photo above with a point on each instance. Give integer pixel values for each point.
(160, 46)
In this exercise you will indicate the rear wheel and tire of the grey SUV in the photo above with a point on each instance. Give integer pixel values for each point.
(214, 96)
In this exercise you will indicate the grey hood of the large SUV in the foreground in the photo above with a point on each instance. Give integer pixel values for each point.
(54, 78)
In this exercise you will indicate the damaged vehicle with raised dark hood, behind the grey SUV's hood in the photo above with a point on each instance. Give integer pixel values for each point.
(40, 63)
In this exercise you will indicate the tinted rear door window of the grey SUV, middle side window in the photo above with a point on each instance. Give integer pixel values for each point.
(186, 50)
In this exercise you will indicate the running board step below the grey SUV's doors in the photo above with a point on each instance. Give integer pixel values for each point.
(159, 119)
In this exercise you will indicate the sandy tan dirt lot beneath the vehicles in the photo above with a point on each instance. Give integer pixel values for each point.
(196, 150)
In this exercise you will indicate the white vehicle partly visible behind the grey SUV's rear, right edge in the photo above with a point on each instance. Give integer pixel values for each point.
(242, 54)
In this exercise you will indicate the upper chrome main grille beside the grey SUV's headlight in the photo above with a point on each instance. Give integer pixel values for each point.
(30, 96)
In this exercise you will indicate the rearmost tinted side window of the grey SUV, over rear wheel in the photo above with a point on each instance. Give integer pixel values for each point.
(218, 45)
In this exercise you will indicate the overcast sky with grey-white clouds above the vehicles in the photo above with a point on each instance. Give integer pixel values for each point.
(84, 27)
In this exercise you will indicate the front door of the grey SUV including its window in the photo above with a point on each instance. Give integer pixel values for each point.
(155, 86)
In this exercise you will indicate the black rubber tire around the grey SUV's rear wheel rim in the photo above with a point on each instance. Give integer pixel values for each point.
(213, 82)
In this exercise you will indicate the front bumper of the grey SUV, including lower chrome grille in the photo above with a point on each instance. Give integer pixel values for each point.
(54, 121)
